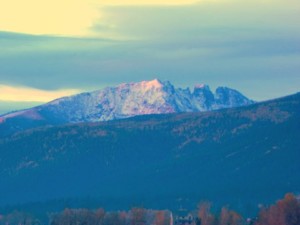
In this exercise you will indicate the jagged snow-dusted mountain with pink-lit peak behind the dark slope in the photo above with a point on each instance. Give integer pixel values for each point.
(126, 100)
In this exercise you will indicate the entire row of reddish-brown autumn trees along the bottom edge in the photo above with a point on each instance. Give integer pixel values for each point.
(284, 212)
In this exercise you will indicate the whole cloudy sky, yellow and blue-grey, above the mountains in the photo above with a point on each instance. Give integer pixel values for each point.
(54, 48)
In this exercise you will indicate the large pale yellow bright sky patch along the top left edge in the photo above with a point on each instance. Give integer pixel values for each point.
(62, 17)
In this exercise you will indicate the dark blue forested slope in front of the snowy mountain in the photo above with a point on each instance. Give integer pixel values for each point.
(237, 156)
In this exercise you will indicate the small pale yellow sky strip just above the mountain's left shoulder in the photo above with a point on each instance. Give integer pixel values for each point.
(25, 94)
